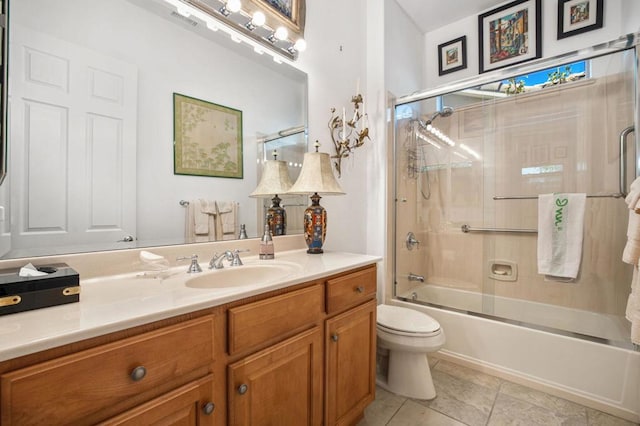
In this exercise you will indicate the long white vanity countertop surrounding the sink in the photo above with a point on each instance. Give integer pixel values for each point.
(118, 302)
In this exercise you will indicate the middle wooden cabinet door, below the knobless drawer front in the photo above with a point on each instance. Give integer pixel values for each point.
(281, 385)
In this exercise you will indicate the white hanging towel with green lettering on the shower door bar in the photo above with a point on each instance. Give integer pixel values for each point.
(560, 231)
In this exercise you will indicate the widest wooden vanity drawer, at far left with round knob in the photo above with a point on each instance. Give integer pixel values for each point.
(75, 388)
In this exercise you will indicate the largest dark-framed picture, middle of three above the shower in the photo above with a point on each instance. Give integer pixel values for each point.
(510, 34)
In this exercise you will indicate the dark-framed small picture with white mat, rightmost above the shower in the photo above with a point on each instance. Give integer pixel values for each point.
(579, 16)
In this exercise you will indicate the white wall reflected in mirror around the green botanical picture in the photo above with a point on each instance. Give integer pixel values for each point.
(172, 59)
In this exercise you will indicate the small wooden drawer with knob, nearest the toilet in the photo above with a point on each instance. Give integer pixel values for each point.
(351, 289)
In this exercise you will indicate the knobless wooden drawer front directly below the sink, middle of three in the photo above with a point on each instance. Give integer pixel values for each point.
(260, 322)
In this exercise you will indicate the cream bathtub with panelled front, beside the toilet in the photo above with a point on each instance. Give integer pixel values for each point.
(584, 370)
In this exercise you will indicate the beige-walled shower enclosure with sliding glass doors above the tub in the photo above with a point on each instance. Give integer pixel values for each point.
(471, 160)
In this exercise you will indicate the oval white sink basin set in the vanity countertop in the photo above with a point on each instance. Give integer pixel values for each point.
(246, 275)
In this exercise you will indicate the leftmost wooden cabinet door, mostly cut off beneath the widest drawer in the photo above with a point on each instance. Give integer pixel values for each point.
(189, 405)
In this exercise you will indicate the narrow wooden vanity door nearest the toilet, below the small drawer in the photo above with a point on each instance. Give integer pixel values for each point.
(351, 360)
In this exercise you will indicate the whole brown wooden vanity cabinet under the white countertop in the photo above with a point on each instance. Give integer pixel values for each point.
(301, 355)
